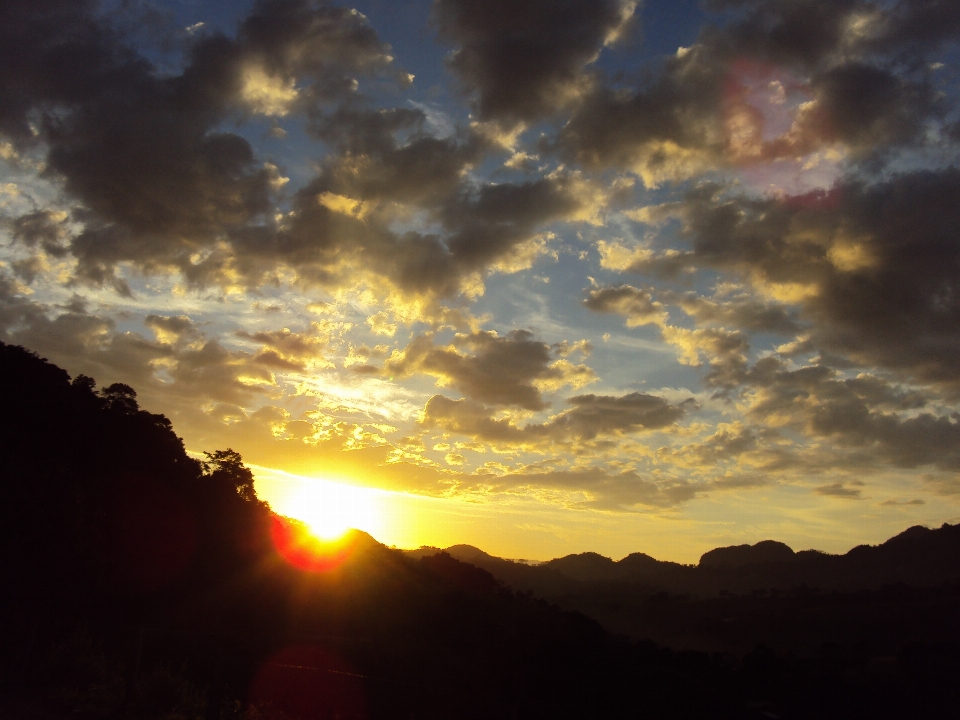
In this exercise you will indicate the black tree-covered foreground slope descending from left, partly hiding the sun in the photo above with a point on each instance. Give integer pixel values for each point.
(140, 583)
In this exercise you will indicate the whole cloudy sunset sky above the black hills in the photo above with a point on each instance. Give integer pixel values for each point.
(542, 277)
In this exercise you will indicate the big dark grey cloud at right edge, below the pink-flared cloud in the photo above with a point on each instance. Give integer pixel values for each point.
(875, 269)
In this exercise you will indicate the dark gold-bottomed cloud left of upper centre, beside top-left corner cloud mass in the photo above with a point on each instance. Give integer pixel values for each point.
(341, 222)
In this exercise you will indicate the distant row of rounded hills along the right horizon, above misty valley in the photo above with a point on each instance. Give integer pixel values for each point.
(919, 556)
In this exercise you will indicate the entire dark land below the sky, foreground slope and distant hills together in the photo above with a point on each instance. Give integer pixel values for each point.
(139, 582)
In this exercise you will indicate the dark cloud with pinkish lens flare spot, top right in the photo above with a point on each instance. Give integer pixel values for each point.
(850, 72)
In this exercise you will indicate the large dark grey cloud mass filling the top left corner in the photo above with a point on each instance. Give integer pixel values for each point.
(142, 151)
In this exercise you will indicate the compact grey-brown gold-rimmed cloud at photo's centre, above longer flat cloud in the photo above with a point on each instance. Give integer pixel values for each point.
(509, 371)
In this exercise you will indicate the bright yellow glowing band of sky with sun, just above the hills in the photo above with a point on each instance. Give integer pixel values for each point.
(522, 528)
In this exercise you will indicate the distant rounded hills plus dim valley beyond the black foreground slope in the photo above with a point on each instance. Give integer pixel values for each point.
(905, 590)
